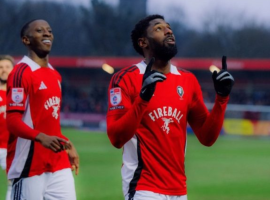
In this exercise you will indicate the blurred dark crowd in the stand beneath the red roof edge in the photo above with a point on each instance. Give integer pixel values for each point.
(90, 95)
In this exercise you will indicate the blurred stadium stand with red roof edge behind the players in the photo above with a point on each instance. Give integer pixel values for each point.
(85, 86)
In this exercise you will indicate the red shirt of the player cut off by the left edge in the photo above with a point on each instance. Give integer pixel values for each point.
(3, 125)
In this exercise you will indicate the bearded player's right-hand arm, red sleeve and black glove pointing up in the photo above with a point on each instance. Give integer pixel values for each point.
(205, 125)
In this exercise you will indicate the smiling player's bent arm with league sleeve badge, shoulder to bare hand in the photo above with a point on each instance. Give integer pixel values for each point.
(17, 91)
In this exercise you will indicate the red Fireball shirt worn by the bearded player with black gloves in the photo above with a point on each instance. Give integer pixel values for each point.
(153, 134)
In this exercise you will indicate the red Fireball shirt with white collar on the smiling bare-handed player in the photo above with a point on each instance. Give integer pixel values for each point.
(35, 91)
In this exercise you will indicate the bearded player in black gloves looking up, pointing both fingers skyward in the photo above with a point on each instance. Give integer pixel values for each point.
(149, 119)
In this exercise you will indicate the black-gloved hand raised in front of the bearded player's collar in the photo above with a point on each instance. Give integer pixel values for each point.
(150, 78)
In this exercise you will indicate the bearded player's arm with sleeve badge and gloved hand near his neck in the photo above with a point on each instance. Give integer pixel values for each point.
(124, 117)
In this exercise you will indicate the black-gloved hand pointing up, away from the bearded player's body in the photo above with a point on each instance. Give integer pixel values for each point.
(223, 80)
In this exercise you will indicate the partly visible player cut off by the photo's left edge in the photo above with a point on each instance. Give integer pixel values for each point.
(6, 65)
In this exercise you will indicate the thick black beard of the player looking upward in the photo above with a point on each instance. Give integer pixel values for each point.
(162, 51)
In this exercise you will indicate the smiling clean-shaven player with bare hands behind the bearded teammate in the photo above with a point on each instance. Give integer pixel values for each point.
(37, 162)
